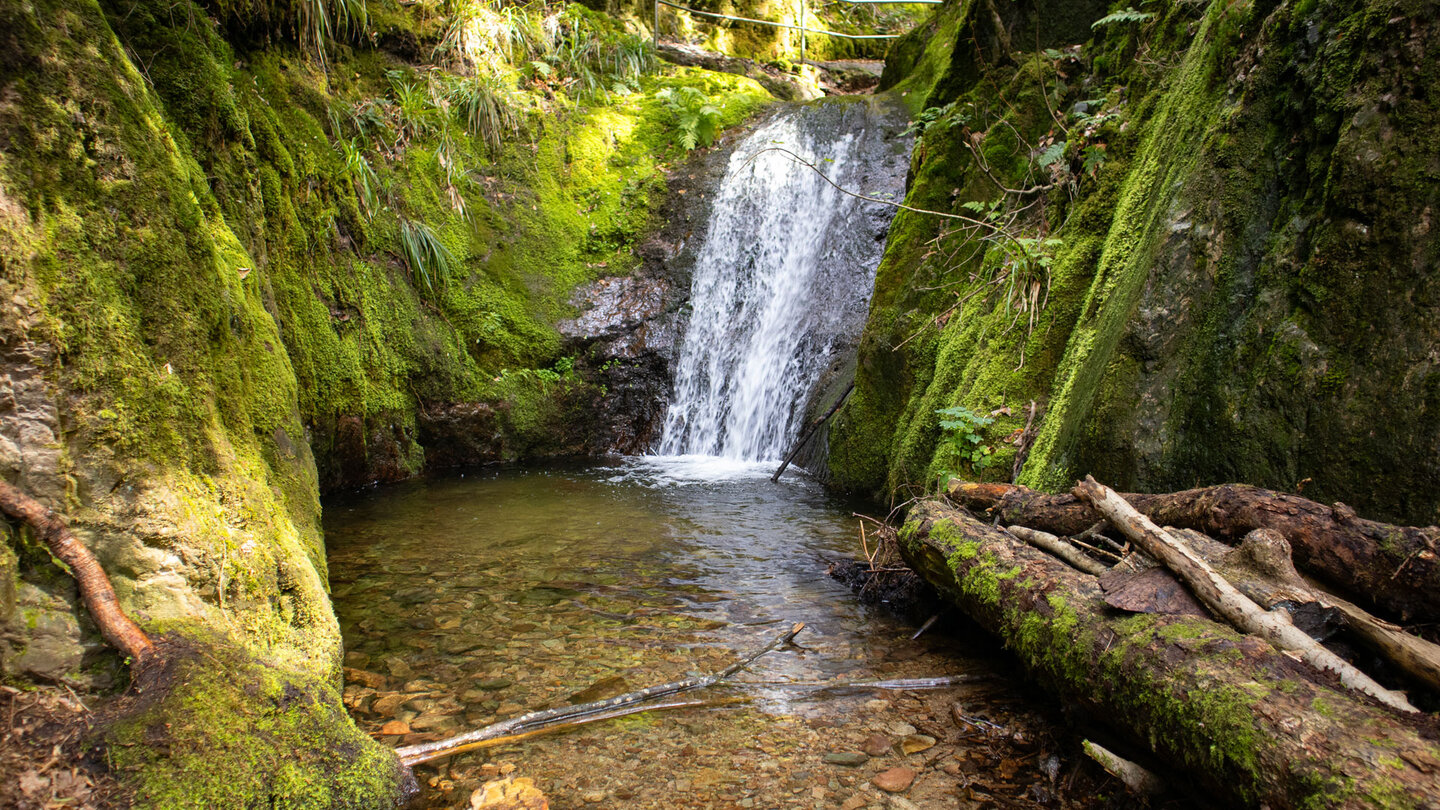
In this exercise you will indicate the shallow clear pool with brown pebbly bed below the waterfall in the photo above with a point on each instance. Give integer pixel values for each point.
(470, 600)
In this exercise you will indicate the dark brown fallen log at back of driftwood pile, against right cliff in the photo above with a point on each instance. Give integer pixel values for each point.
(1396, 569)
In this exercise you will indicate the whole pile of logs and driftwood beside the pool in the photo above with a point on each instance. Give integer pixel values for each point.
(1203, 652)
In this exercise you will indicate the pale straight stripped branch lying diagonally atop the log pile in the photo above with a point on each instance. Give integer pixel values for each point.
(1225, 599)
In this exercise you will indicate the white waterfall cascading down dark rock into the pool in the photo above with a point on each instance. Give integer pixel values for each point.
(783, 279)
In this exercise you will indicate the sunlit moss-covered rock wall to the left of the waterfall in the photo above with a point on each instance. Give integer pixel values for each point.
(243, 266)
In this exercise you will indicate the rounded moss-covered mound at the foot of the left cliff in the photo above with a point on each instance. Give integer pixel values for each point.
(212, 729)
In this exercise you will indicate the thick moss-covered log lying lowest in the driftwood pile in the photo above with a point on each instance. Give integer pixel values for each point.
(1254, 724)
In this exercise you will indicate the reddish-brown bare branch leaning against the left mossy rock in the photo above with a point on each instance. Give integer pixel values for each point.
(96, 590)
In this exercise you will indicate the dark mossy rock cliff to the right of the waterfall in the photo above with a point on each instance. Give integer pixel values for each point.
(1206, 253)
